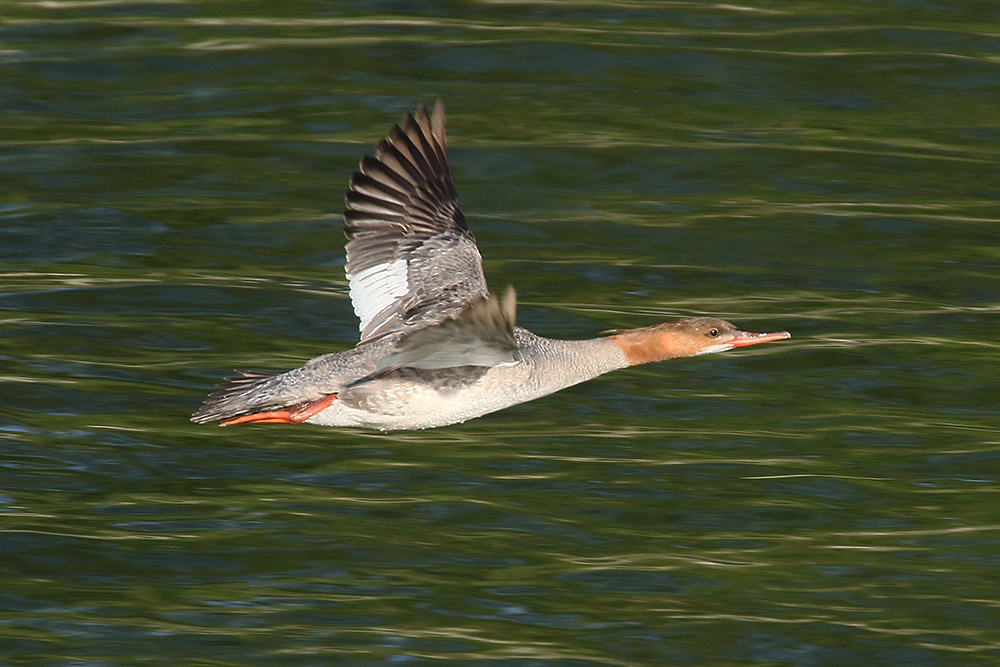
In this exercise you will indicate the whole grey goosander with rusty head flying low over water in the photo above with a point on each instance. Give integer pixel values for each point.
(437, 347)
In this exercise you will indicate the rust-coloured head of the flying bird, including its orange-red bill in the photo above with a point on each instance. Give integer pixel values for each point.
(686, 338)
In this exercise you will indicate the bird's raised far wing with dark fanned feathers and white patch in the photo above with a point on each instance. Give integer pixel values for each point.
(411, 259)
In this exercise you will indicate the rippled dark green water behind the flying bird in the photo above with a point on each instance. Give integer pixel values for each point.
(171, 181)
